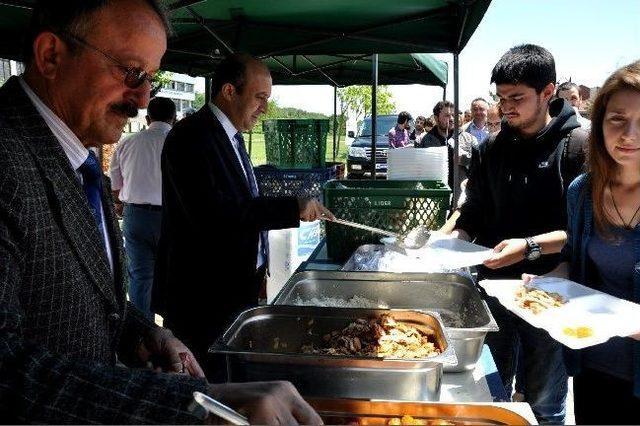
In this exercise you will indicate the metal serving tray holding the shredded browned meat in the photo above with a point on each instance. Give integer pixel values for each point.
(263, 344)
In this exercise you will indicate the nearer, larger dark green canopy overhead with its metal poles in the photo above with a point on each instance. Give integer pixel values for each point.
(206, 28)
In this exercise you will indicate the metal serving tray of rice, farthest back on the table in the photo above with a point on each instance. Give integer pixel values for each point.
(466, 316)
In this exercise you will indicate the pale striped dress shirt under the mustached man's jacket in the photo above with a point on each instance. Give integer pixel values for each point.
(72, 147)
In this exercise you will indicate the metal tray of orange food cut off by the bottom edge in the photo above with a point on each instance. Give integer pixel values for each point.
(342, 411)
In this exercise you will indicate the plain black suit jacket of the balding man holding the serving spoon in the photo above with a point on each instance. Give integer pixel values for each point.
(210, 228)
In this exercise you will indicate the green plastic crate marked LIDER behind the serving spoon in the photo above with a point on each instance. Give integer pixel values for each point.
(393, 205)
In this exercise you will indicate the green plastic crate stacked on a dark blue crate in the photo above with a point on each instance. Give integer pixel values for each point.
(296, 144)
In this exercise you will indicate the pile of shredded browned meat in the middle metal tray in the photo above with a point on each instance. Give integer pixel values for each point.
(379, 337)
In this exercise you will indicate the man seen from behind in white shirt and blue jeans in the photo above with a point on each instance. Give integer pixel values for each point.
(136, 181)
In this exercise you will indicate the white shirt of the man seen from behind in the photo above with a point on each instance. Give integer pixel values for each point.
(135, 165)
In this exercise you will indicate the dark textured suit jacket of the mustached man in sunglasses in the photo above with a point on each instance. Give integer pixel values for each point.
(63, 314)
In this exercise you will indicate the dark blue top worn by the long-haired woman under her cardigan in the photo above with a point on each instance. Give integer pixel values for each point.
(614, 261)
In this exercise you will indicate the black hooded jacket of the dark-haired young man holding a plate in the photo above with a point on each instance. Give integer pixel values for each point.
(517, 187)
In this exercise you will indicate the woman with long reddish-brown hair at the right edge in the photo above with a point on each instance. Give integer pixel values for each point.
(603, 249)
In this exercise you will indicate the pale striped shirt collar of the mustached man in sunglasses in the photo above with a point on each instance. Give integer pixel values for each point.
(75, 151)
